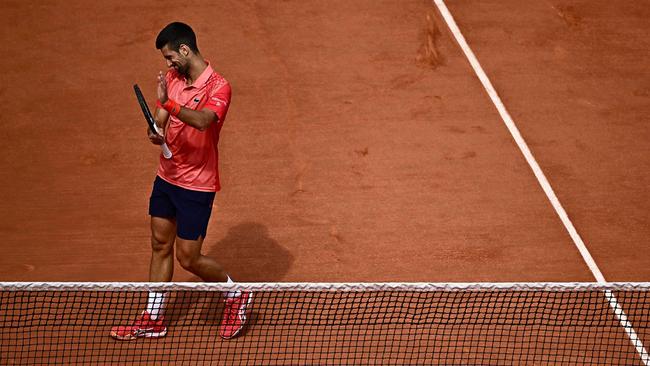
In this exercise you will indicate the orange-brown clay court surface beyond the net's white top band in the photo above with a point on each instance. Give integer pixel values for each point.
(345, 156)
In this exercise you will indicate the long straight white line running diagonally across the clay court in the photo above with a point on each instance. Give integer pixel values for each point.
(541, 178)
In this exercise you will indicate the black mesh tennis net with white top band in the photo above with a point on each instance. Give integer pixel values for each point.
(337, 323)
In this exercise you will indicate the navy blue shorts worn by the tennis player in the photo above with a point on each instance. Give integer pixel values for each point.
(191, 209)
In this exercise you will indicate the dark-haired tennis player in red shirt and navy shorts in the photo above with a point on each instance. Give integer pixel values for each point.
(192, 104)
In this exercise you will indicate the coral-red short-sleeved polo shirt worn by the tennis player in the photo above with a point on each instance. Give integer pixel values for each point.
(195, 161)
